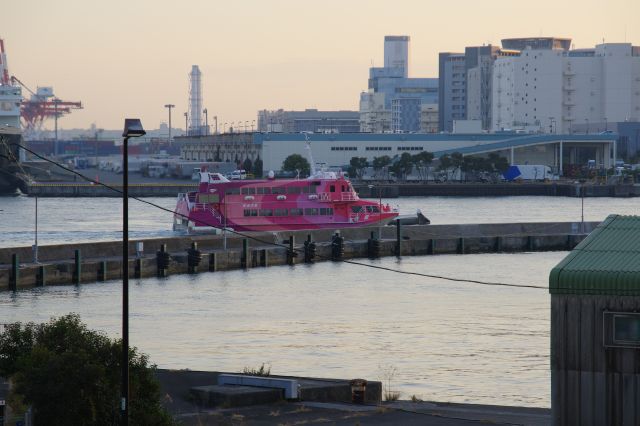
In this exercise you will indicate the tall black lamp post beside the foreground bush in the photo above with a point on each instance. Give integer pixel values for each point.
(132, 129)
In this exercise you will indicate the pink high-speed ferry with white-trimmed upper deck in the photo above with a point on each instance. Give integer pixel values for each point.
(324, 200)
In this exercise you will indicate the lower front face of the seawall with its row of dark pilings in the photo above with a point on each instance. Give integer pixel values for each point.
(283, 252)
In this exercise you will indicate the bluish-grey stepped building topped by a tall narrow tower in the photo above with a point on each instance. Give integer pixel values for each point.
(393, 101)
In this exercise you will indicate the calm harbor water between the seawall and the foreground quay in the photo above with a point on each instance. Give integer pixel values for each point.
(447, 341)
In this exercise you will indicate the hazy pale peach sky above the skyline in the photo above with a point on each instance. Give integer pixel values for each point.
(126, 58)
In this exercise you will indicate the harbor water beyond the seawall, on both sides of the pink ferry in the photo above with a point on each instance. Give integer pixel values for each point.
(99, 219)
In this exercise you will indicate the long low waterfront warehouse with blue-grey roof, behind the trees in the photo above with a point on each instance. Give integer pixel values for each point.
(336, 150)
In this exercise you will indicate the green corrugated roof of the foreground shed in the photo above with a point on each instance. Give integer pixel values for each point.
(606, 262)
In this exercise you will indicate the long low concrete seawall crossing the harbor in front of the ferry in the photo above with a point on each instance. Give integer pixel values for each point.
(101, 261)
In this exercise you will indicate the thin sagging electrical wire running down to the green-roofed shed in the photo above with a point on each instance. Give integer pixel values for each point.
(270, 243)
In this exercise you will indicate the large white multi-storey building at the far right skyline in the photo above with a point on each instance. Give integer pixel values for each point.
(558, 90)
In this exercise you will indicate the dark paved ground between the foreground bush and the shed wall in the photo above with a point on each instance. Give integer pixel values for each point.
(176, 385)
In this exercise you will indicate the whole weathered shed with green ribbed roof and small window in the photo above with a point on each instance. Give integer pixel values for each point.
(595, 328)
